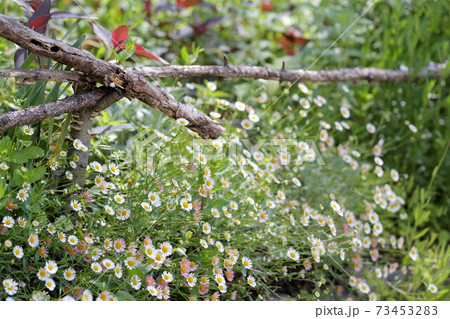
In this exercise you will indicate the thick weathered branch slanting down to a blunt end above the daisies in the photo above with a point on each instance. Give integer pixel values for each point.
(131, 83)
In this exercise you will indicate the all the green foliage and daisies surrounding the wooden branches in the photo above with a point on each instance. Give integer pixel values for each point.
(332, 191)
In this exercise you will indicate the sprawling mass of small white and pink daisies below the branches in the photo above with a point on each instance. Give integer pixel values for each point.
(215, 219)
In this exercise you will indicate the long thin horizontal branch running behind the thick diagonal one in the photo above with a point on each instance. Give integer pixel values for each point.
(229, 72)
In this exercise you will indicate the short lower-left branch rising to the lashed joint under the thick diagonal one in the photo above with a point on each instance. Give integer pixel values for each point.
(44, 111)
